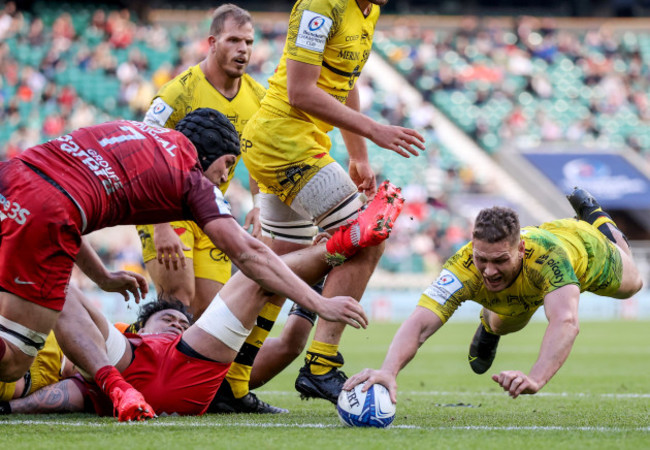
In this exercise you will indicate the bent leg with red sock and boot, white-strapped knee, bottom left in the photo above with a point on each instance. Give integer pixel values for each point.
(94, 345)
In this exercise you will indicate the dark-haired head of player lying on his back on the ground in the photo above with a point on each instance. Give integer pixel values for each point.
(162, 316)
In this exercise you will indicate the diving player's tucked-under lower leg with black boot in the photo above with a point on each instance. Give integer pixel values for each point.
(483, 348)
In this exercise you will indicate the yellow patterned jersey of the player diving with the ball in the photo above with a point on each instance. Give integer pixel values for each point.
(557, 254)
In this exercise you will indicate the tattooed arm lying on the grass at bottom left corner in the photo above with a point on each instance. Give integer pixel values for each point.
(63, 396)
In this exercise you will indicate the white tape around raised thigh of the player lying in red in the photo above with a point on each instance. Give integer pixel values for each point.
(218, 321)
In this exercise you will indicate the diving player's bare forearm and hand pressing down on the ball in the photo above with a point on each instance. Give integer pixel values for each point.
(411, 335)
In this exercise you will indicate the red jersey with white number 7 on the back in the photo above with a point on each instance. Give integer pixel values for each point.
(125, 172)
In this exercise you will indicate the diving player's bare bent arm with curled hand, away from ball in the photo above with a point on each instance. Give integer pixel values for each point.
(561, 308)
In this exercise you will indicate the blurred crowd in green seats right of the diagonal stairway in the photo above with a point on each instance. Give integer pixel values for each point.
(524, 81)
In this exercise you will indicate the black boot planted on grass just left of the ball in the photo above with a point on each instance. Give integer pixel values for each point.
(327, 386)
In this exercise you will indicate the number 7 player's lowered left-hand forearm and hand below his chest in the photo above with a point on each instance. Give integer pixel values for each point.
(121, 281)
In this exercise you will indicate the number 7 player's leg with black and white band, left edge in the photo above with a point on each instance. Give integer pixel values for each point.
(24, 326)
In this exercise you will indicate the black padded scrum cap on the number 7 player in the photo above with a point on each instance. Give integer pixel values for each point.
(212, 134)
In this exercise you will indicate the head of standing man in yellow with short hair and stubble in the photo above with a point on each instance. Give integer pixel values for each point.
(231, 40)
